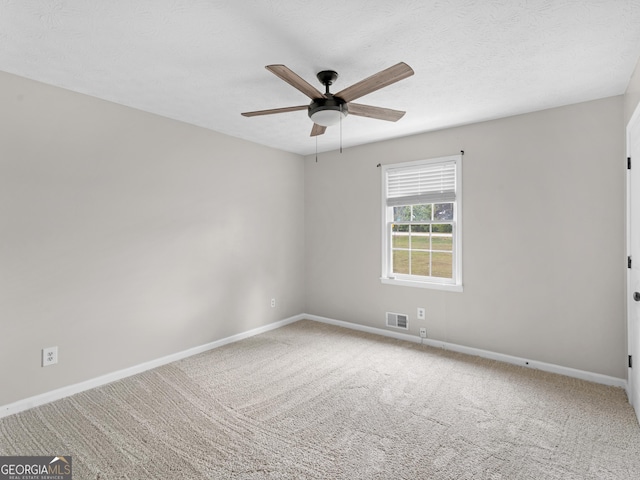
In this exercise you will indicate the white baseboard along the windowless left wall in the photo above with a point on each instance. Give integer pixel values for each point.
(35, 401)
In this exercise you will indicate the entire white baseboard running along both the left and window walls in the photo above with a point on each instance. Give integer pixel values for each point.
(21, 405)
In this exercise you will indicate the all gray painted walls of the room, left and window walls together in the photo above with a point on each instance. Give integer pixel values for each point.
(125, 236)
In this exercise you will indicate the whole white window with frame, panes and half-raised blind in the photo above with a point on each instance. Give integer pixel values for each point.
(422, 204)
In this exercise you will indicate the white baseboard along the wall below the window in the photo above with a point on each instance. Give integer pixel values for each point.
(547, 367)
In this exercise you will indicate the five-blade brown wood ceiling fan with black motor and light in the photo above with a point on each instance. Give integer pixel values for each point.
(328, 108)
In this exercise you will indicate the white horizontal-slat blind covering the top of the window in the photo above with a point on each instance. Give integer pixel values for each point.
(435, 183)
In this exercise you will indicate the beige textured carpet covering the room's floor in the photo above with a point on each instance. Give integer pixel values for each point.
(316, 401)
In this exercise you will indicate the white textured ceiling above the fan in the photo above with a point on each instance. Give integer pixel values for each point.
(202, 61)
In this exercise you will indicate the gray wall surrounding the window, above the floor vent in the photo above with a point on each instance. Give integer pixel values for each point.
(543, 237)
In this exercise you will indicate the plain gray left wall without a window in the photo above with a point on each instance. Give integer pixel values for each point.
(125, 236)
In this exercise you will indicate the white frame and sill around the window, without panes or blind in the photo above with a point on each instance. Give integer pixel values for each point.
(390, 278)
